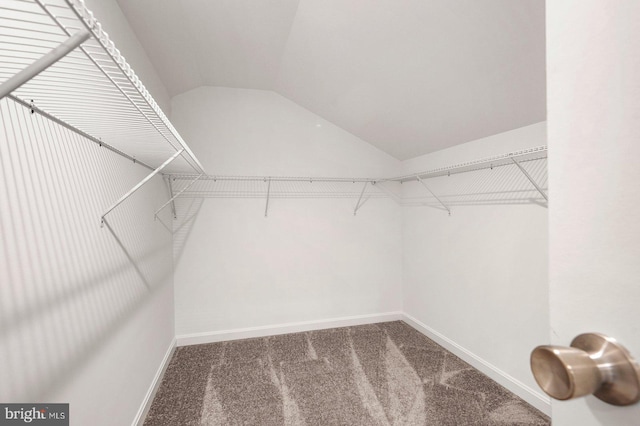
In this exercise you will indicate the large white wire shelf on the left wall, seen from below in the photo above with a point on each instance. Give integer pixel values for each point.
(92, 88)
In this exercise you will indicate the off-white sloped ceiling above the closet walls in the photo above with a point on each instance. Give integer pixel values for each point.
(408, 76)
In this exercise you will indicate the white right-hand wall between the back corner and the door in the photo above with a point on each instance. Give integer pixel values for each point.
(479, 276)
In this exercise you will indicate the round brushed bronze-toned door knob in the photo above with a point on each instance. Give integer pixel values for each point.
(594, 364)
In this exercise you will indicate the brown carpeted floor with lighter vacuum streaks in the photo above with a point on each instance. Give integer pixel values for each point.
(380, 374)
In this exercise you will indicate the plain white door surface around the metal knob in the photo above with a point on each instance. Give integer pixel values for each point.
(594, 129)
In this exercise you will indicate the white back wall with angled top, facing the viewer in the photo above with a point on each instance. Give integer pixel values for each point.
(311, 259)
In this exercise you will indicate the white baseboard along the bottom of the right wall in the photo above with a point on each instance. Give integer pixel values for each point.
(533, 397)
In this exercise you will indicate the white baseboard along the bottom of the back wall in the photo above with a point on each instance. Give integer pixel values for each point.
(293, 327)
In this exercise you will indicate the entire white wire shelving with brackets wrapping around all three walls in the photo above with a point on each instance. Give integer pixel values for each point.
(56, 60)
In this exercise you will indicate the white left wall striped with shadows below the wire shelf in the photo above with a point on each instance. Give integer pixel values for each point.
(86, 313)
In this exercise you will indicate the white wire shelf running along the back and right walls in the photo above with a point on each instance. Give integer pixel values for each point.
(506, 184)
